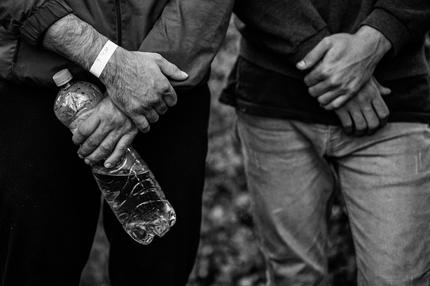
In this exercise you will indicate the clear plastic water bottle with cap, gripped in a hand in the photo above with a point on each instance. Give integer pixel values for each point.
(129, 188)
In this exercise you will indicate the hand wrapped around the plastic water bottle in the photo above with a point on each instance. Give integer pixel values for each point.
(104, 135)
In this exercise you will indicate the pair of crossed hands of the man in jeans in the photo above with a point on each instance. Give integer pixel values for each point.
(340, 76)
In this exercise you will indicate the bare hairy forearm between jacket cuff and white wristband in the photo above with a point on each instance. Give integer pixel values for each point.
(75, 40)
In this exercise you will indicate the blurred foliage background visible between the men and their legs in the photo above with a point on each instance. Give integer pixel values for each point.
(229, 253)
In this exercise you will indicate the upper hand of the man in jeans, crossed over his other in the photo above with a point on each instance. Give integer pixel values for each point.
(342, 64)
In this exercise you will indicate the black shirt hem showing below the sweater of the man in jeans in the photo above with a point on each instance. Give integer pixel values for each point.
(255, 90)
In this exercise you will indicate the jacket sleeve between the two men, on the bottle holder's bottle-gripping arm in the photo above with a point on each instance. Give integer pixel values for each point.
(189, 34)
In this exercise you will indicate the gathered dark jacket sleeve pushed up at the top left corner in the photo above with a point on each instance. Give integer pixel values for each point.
(29, 19)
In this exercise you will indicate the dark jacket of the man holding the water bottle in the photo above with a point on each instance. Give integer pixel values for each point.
(186, 32)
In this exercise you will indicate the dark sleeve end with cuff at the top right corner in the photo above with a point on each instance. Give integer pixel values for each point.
(400, 21)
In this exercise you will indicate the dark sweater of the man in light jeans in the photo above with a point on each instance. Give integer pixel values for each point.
(278, 33)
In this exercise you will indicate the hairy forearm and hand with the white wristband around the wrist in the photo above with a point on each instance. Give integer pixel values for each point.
(137, 82)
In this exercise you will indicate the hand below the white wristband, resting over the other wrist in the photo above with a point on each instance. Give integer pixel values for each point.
(138, 84)
